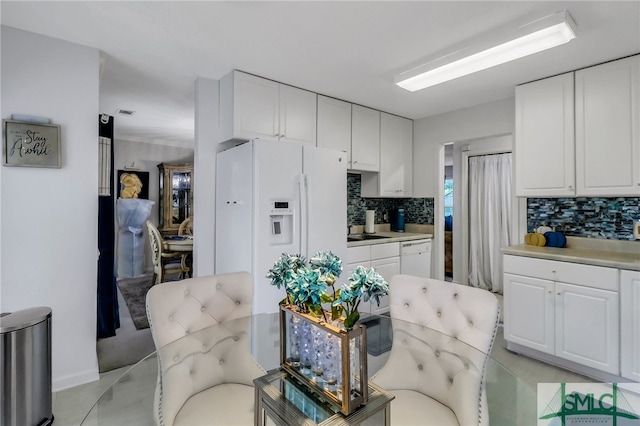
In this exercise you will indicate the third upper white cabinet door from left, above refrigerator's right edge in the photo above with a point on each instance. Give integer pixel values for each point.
(334, 125)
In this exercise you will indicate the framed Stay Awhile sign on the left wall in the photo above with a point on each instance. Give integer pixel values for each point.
(31, 144)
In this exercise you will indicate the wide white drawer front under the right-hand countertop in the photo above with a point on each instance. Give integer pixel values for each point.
(567, 272)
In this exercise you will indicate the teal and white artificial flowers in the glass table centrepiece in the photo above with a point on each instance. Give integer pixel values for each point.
(307, 285)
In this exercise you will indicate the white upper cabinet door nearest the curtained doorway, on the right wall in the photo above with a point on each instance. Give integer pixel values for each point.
(544, 142)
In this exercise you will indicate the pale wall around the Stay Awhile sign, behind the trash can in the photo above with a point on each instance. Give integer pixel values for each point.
(50, 216)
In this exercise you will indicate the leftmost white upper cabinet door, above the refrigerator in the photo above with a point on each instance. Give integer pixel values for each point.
(255, 107)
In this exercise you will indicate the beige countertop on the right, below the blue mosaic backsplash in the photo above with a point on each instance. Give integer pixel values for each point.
(621, 254)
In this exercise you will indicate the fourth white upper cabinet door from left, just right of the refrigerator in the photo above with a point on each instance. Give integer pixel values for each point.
(365, 139)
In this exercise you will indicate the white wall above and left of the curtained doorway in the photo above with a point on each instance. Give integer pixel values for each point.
(430, 136)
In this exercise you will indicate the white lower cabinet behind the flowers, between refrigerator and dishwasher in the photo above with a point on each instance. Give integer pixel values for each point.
(384, 258)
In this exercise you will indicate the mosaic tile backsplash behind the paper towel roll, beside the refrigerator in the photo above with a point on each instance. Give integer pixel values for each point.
(416, 210)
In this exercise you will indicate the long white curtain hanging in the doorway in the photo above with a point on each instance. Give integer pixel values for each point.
(489, 218)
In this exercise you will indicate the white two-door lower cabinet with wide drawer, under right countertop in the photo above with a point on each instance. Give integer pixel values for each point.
(567, 310)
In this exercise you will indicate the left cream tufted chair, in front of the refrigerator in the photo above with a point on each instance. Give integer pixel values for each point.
(201, 329)
